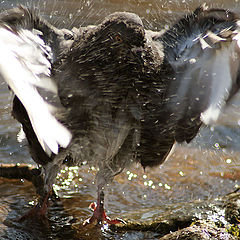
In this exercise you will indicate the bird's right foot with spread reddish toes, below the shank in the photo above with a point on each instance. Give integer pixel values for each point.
(100, 217)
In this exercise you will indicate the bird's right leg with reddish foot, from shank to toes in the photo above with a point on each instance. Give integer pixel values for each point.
(99, 216)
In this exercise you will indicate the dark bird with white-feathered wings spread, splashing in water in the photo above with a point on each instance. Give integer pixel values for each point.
(121, 93)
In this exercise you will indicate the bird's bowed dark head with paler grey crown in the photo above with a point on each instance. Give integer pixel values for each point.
(116, 37)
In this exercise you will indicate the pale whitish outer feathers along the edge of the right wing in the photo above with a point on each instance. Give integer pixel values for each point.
(223, 71)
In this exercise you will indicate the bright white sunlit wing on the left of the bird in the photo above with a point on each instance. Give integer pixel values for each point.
(25, 64)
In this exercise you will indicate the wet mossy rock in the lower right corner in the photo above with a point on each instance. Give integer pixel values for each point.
(206, 219)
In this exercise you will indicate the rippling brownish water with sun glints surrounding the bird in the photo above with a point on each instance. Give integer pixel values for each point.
(192, 172)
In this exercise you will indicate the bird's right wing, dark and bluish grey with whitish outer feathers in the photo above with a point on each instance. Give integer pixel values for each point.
(203, 52)
